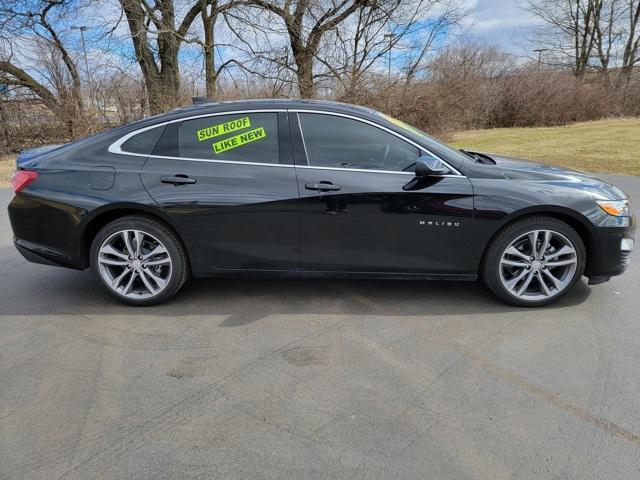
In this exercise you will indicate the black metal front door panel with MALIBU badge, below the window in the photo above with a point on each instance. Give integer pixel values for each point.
(373, 224)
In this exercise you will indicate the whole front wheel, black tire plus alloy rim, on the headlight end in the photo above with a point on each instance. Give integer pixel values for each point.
(524, 277)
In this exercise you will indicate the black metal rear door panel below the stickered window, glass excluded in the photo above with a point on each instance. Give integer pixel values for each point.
(236, 216)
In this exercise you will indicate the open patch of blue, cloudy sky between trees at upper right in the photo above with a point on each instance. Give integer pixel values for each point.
(499, 22)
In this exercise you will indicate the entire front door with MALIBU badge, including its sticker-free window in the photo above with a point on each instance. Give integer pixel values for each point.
(363, 209)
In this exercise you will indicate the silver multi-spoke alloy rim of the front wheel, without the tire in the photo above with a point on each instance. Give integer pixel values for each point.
(538, 265)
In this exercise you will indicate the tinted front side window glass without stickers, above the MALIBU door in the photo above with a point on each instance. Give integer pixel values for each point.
(340, 142)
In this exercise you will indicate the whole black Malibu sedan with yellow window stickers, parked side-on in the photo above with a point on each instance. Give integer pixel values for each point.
(307, 188)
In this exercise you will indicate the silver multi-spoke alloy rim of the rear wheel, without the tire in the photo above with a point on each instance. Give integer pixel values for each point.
(134, 264)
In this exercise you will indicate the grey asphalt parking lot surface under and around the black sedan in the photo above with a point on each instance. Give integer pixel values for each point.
(304, 379)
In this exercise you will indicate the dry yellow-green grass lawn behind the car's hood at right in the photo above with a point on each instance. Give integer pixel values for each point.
(600, 146)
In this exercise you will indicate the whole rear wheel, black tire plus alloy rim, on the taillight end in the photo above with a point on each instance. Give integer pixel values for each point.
(148, 276)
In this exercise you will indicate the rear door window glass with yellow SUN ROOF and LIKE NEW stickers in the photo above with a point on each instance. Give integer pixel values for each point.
(244, 137)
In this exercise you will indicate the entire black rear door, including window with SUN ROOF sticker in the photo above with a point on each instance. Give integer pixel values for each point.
(227, 181)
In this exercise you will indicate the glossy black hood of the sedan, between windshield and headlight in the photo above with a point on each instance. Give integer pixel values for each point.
(518, 169)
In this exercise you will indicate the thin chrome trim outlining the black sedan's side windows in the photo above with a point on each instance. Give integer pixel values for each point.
(116, 147)
